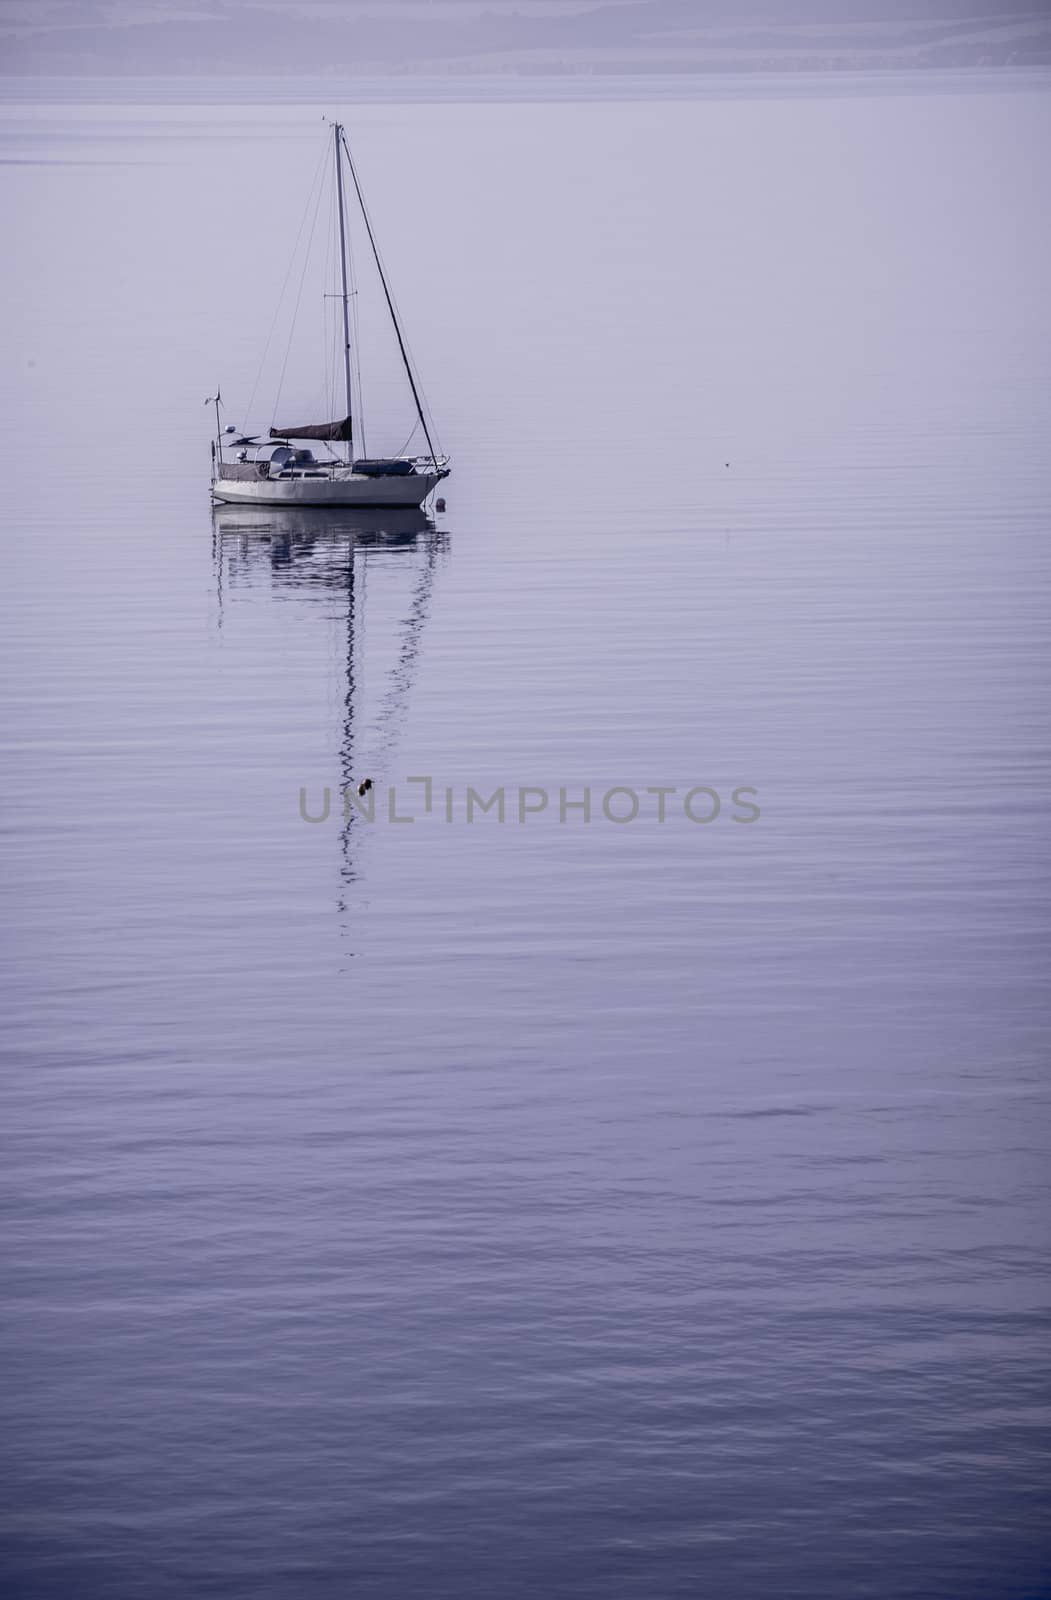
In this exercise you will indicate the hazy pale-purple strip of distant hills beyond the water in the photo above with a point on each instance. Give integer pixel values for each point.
(385, 36)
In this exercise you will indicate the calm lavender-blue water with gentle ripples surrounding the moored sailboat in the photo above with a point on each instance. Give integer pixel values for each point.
(444, 1210)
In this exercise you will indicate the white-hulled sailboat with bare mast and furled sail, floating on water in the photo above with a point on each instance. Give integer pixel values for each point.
(282, 471)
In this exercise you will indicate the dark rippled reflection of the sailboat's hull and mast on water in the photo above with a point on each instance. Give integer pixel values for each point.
(306, 548)
